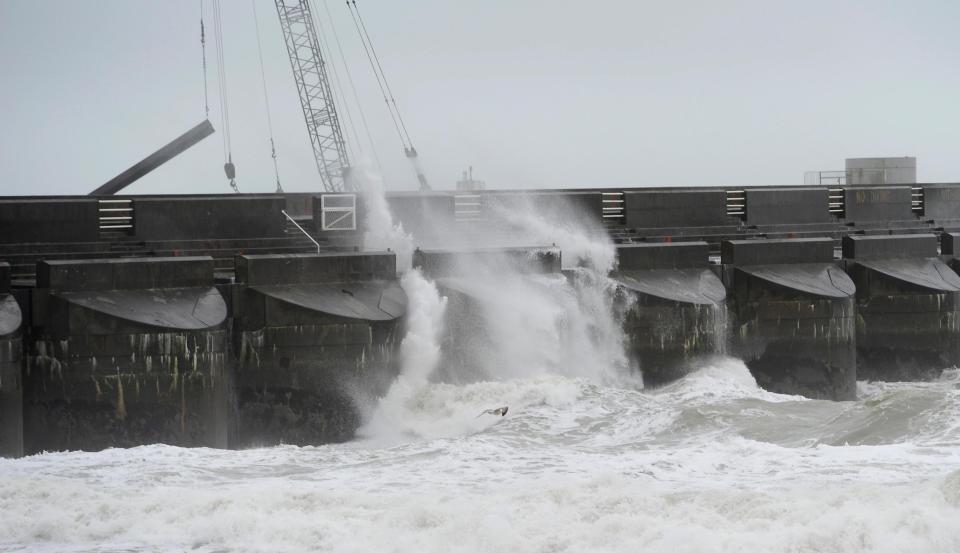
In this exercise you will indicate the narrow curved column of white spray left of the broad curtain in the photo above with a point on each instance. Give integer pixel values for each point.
(420, 356)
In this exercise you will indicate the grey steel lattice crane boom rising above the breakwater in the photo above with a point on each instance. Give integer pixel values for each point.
(316, 98)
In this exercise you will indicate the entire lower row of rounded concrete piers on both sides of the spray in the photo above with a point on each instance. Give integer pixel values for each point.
(120, 352)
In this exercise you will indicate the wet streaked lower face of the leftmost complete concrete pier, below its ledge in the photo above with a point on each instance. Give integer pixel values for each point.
(172, 388)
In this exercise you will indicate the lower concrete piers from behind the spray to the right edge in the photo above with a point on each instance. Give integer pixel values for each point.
(804, 320)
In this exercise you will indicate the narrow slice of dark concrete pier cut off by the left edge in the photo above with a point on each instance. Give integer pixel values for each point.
(11, 351)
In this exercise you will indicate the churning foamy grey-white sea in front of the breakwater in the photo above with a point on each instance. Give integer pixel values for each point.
(711, 463)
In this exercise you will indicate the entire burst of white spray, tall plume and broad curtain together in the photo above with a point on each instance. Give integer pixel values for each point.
(515, 324)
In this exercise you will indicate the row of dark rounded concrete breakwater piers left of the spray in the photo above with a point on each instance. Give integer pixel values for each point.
(123, 352)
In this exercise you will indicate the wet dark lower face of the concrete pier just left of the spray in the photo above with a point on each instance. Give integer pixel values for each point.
(311, 384)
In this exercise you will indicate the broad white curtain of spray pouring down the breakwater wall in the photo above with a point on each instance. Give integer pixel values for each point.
(505, 325)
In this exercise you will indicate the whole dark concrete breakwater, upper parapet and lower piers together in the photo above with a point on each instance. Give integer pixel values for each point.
(190, 324)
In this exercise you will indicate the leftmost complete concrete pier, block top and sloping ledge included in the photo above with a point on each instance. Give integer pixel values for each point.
(127, 352)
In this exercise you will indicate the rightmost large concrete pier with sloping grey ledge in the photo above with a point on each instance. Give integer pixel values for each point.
(908, 301)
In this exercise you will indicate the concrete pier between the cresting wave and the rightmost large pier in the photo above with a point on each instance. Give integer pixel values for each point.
(794, 316)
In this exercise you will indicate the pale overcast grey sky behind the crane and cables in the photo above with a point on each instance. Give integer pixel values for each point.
(532, 93)
